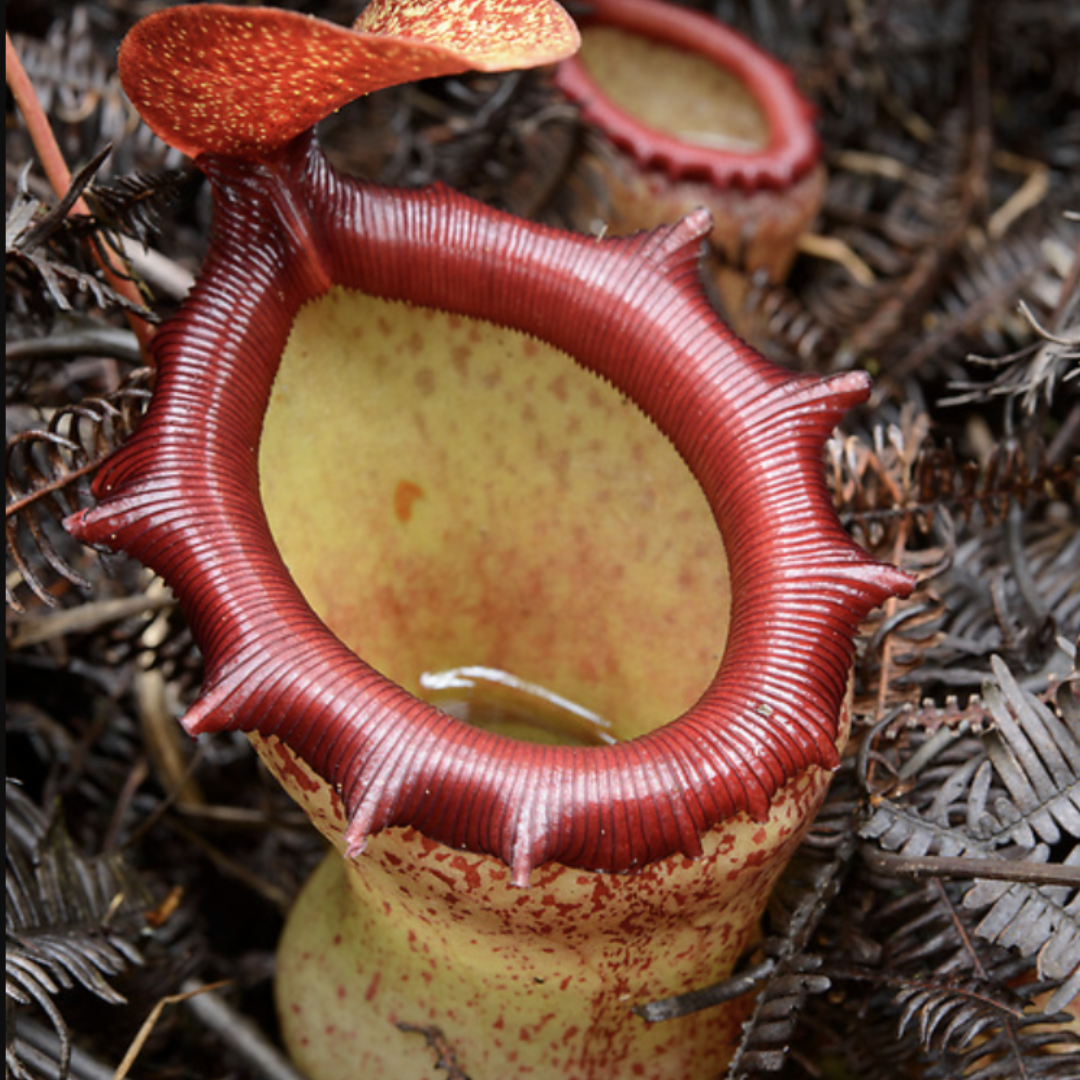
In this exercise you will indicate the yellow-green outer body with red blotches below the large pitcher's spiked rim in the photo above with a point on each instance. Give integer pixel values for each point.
(537, 982)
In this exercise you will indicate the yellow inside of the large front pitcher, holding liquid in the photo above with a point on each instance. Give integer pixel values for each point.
(450, 495)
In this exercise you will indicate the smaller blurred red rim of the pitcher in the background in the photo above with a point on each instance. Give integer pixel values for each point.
(793, 147)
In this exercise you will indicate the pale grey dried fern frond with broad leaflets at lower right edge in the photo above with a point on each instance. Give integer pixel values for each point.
(1011, 799)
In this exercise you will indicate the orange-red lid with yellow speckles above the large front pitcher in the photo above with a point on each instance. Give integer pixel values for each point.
(246, 82)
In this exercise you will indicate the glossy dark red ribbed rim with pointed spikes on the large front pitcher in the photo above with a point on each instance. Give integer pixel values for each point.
(183, 497)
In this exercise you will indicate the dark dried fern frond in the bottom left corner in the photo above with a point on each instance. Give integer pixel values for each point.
(71, 922)
